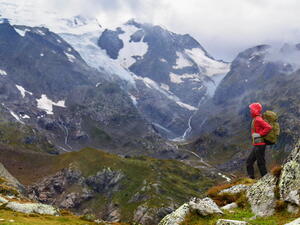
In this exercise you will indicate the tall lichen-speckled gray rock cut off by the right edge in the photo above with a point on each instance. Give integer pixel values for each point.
(289, 183)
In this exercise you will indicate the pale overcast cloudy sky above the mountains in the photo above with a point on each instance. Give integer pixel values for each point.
(223, 27)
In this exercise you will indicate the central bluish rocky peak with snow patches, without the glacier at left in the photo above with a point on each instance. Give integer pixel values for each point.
(173, 73)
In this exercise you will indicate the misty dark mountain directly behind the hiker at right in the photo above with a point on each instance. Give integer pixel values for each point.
(265, 74)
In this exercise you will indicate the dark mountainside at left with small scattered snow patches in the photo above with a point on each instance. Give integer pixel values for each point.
(47, 85)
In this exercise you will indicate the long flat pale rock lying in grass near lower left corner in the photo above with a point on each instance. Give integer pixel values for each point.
(32, 208)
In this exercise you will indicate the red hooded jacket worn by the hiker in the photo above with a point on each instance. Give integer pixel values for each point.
(260, 126)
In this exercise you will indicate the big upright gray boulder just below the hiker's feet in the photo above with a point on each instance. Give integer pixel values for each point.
(261, 196)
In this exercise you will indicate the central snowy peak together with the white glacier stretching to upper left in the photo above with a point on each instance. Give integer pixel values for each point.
(167, 75)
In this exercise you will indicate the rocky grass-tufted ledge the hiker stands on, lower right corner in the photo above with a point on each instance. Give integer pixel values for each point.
(273, 199)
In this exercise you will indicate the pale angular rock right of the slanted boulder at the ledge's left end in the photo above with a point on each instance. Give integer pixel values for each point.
(204, 206)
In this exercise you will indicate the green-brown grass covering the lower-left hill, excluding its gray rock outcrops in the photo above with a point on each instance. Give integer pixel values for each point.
(164, 180)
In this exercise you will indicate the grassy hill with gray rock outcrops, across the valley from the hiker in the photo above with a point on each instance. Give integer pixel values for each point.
(108, 186)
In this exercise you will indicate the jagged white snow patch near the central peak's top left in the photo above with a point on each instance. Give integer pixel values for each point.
(130, 49)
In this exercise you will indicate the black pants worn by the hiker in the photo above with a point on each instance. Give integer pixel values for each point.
(257, 154)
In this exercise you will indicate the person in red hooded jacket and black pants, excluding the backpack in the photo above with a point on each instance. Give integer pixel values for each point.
(259, 129)
